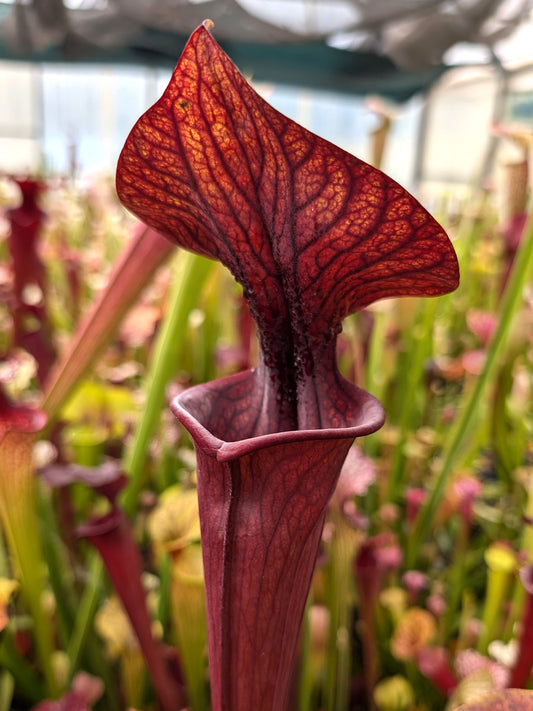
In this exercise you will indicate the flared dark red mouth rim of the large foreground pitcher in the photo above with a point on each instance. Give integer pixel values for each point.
(209, 411)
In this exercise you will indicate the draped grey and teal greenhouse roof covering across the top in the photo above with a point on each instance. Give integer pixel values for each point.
(395, 48)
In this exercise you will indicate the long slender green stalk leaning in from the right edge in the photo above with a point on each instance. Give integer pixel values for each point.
(460, 432)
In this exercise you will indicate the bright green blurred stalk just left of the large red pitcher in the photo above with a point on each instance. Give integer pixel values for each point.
(189, 279)
